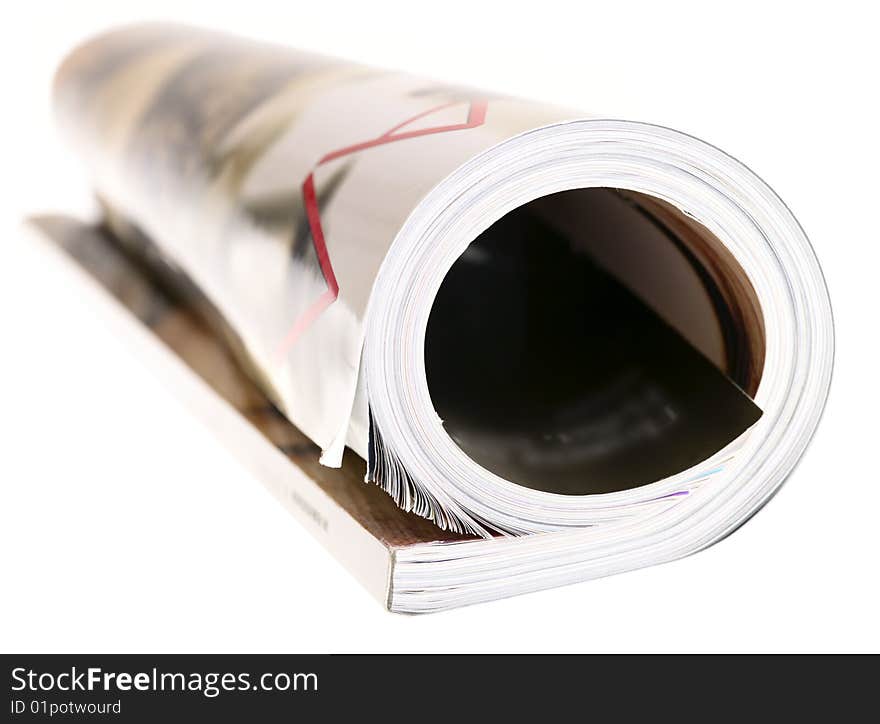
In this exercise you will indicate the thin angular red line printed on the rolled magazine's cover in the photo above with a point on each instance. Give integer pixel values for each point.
(476, 117)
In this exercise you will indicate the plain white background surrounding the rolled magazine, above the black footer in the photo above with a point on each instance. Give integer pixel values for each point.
(124, 526)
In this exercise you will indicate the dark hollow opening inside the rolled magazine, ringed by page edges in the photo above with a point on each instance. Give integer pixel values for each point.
(592, 341)
